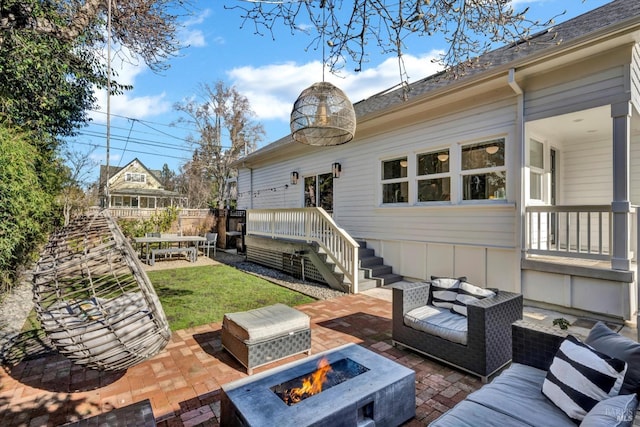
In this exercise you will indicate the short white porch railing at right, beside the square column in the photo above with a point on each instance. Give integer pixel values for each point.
(569, 231)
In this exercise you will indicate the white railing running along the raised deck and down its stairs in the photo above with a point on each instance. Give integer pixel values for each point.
(309, 225)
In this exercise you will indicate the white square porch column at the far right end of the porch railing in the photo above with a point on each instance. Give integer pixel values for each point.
(621, 206)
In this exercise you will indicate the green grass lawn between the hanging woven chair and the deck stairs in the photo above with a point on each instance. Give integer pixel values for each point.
(199, 295)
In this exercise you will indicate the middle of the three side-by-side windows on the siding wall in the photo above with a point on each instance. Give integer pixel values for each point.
(434, 182)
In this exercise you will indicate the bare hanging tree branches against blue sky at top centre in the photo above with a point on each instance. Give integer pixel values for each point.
(469, 27)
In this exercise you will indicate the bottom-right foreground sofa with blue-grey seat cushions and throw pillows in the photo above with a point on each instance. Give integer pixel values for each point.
(519, 395)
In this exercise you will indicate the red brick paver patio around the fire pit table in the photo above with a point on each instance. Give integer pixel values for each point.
(183, 382)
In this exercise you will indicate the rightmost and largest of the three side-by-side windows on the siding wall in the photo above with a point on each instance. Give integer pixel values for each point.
(483, 170)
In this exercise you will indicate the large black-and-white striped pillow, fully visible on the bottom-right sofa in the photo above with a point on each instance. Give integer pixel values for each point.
(580, 377)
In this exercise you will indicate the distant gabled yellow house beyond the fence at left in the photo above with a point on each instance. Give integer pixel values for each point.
(135, 186)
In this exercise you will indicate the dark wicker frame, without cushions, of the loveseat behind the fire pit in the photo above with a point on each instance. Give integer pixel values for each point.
(488, 347)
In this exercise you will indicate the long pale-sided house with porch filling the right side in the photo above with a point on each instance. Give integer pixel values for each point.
(522, 175)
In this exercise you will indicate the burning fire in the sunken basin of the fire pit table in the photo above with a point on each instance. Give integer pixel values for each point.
(326, 376)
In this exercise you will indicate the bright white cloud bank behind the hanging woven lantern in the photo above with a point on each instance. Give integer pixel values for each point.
(272, 89)
